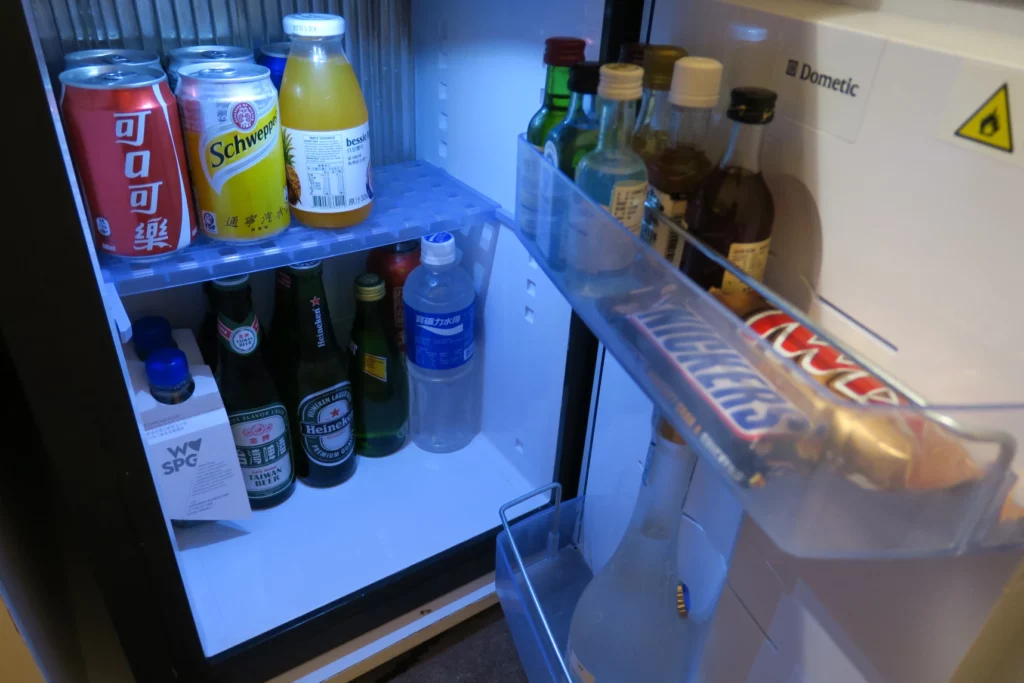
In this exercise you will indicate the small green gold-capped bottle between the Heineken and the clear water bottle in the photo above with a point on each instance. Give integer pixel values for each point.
(380, 388)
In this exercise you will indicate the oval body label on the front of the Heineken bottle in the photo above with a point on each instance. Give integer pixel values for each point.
(326, 425)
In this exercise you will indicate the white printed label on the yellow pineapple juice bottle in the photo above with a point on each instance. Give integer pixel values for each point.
(328, 172)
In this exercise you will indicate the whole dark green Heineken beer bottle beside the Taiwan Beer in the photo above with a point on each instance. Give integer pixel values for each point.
(319, 394)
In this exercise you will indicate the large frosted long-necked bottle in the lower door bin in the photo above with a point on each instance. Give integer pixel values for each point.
(628, 625)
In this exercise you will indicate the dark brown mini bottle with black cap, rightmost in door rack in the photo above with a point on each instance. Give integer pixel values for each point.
(735, 211)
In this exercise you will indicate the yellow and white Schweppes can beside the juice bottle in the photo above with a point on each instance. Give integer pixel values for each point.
(235, 150)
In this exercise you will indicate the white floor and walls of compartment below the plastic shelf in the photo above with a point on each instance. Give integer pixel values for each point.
(322, 545)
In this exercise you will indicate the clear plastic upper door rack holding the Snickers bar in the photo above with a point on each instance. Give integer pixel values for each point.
(824, 477)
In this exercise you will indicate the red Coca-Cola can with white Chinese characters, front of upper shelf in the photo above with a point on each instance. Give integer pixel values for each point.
(125, 137)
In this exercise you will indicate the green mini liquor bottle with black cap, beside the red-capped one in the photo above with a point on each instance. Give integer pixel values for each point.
(577, 135)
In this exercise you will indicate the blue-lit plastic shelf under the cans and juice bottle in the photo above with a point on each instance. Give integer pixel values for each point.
(412, 200)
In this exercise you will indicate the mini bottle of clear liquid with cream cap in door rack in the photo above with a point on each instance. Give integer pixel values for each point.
(614, 176)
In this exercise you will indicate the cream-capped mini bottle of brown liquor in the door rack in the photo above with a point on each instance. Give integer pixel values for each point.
(677, 157)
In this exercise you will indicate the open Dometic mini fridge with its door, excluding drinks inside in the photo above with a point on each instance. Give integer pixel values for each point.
(897, 241)
